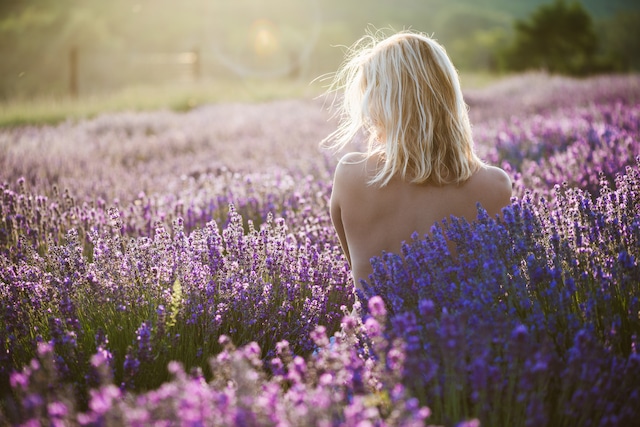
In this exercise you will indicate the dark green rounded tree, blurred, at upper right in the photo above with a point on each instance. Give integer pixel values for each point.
(557, 37)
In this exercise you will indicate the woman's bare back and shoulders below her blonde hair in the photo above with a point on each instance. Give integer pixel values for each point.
(370, 219)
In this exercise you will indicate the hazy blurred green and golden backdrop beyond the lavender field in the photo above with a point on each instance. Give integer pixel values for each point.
(80, 48)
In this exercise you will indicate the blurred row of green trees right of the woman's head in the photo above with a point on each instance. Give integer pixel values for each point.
(559, 37)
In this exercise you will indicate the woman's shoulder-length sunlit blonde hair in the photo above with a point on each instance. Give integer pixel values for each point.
(404, 92)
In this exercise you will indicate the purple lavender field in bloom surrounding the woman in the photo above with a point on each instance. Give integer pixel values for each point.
(168, 268)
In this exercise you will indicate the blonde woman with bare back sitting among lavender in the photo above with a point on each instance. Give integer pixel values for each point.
(419, 167)
